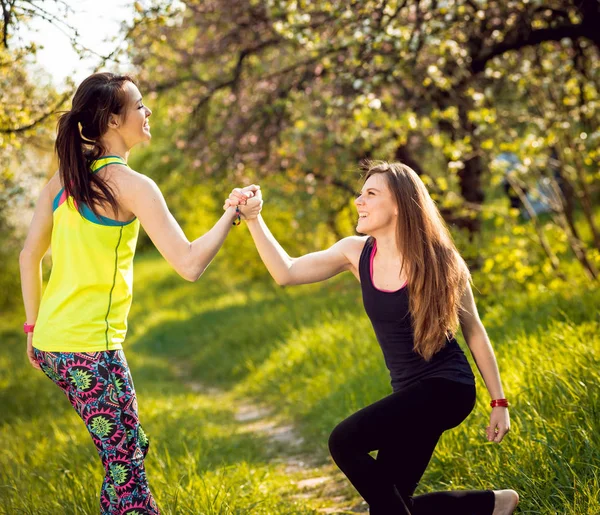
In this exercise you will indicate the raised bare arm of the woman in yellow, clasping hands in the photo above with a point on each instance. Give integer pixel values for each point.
(141, 196)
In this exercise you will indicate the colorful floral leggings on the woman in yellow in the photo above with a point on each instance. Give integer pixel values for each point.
(100, 388)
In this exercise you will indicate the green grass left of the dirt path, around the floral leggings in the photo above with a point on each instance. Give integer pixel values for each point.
(199, 461)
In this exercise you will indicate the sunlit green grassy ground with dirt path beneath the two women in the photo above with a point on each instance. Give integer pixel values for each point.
(307, 356)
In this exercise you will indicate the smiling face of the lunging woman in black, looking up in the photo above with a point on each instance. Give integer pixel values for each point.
(377, 209)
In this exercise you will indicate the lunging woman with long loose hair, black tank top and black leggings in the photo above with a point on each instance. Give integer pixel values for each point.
(416, 291)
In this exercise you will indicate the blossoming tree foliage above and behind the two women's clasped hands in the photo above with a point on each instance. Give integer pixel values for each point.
(294, 94)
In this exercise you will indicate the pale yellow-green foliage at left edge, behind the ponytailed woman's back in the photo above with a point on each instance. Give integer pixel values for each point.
(27, 103)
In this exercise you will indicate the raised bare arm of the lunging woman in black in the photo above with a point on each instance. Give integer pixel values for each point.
(310, 268)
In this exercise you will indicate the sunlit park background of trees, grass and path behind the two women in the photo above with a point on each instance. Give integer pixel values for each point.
(240, 381)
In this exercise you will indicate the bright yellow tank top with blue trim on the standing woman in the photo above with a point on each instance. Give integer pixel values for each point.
(88, 296)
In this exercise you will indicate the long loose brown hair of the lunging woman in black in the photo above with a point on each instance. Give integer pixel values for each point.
(437, 275)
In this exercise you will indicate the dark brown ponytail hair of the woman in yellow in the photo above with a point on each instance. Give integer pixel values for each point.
(78, 138)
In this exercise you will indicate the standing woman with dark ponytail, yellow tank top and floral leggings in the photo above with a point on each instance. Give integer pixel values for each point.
(90, 213)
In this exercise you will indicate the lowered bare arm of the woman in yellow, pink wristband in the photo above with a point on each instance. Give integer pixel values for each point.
(30, 260)
